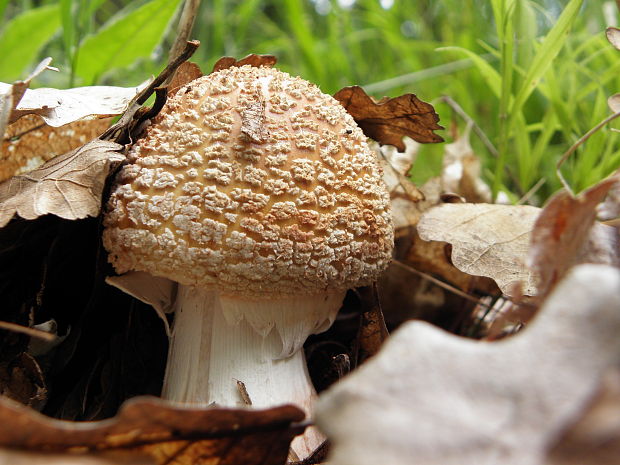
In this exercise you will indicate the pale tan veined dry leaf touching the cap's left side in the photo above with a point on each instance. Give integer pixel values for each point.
(69, 186)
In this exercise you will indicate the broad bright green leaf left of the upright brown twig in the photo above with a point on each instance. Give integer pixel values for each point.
(124, 40)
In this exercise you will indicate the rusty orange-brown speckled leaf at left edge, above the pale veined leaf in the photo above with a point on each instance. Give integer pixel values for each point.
(29, 142)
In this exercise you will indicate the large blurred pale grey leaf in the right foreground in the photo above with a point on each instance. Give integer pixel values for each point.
(430, 397)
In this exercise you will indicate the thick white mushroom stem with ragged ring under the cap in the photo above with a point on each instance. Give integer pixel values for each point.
(223, 348)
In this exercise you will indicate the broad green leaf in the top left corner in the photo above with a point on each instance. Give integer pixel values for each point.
(23, 37)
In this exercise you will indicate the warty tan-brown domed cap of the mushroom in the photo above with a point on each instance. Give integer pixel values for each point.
(255, 183)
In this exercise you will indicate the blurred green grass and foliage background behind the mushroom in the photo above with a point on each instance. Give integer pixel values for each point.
(534, 75)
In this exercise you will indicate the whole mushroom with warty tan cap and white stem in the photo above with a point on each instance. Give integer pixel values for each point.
(260, 197)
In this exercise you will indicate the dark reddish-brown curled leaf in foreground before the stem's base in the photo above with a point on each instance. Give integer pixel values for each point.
(154, 428)
